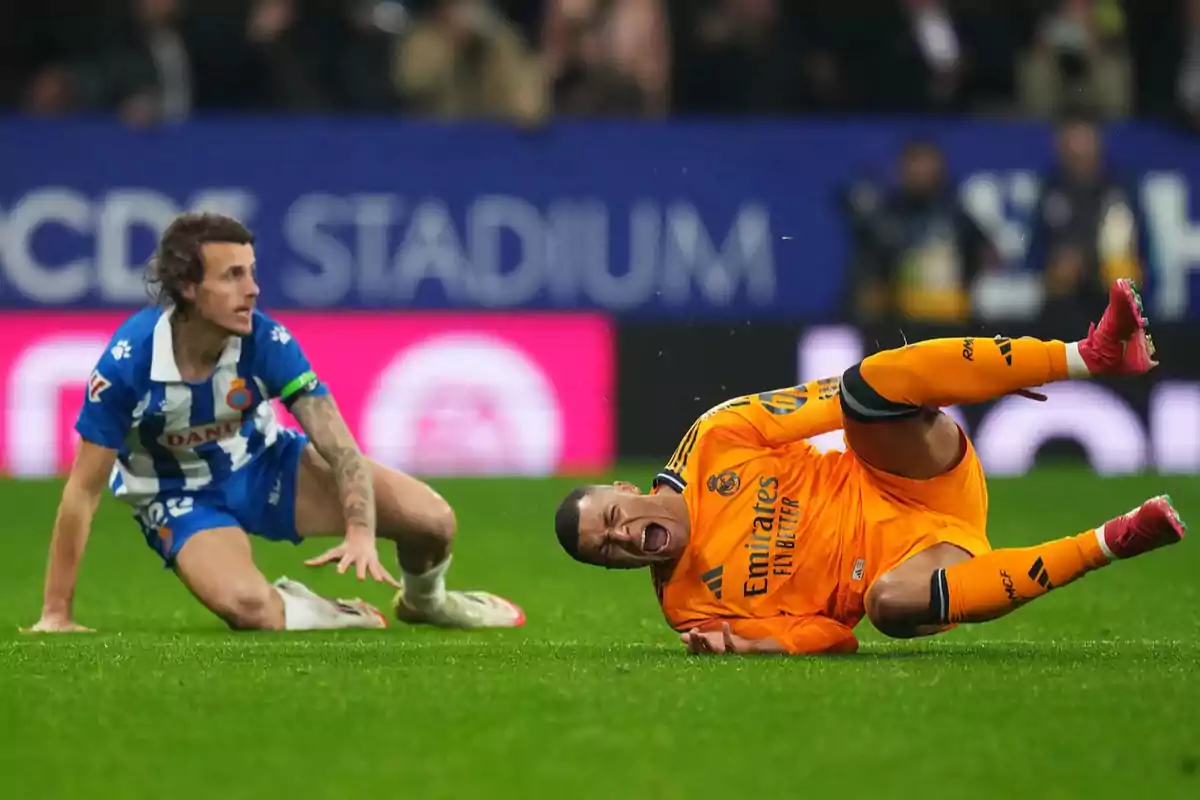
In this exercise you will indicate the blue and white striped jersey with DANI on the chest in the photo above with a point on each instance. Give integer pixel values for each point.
(176, 436)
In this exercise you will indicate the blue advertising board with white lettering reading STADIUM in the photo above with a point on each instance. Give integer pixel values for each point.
(734, 221)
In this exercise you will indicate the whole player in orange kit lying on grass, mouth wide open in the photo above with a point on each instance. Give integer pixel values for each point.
(759, 544)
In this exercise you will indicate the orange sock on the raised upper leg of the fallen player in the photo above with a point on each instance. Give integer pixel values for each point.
(947, 372)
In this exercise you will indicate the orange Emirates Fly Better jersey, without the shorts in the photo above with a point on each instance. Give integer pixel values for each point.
(773, 536)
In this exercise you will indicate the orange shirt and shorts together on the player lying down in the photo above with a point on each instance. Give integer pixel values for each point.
(787, 540)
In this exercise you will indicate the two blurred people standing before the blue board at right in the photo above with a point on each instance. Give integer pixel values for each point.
(921, 252)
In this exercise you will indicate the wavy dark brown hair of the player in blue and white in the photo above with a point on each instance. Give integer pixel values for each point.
(178, 260)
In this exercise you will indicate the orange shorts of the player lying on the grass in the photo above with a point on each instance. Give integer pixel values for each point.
(903, 516)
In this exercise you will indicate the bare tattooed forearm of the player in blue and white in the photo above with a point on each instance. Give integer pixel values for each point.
(320, 418)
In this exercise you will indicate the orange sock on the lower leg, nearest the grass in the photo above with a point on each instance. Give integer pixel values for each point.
(997, 584)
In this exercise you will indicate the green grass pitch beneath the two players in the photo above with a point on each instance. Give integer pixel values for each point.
(1090, 693)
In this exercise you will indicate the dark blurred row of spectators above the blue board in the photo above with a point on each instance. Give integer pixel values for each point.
(526, 61)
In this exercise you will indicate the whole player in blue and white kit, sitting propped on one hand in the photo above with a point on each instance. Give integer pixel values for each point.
(177, 420)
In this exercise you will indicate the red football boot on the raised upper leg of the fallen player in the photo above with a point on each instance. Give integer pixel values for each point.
(1120, 345)
